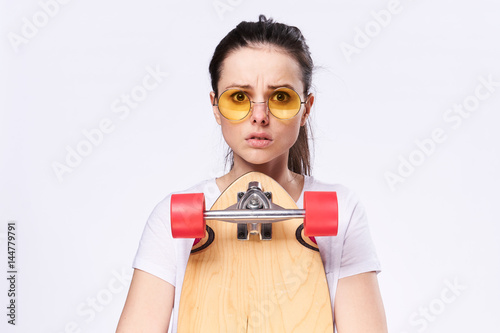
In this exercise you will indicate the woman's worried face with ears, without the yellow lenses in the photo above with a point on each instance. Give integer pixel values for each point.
(260, 137)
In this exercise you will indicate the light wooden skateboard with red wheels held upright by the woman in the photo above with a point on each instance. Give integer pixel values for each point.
(254, 265)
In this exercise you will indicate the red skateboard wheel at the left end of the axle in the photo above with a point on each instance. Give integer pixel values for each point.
(186, 215)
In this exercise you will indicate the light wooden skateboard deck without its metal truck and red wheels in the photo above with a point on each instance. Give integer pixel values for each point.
(254, 285)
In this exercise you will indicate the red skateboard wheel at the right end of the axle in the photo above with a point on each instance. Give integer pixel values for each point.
(321, 217)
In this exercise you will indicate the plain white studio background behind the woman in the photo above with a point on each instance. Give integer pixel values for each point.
(75, 235)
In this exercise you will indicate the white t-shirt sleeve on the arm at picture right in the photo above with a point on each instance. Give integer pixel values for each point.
(358, 251)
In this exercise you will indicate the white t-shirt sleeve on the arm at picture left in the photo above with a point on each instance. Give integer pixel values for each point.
(156, 253)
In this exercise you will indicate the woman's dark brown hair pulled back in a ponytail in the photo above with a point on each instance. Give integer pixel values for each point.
(290, 40)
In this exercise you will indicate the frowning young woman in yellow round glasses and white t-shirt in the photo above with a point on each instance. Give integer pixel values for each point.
(256, 68)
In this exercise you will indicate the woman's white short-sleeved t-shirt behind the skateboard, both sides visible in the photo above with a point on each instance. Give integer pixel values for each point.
(350, 252)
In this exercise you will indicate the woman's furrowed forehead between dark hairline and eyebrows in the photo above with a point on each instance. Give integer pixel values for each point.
(260, 67)
